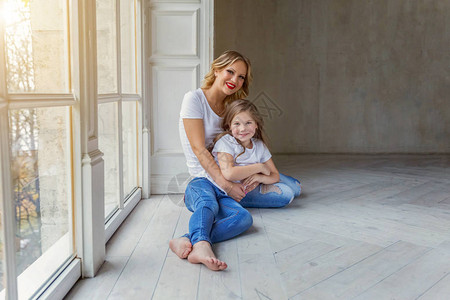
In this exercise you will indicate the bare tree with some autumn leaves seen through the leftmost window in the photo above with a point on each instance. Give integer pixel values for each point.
(23, 133)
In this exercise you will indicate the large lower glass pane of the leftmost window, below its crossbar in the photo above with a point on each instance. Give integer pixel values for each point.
(42, 191)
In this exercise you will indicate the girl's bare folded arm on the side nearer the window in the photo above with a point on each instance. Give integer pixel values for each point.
(233, 173)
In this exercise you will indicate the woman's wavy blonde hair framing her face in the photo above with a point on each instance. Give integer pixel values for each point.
(224, 60)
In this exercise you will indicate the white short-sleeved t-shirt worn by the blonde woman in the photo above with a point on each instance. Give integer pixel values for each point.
(195, 106)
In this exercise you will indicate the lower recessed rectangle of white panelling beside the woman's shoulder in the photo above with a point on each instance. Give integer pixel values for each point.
(167, 104)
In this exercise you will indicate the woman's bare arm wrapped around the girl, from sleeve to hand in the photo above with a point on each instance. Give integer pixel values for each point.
(196, 135)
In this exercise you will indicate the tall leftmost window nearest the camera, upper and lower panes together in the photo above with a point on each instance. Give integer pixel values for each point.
(37, 86)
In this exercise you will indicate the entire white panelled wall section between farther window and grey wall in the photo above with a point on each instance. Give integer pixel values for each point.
(178, 51)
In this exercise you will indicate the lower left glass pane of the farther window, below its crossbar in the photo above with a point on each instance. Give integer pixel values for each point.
(108, 130)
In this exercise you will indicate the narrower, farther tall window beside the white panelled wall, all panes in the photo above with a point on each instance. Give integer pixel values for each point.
(117, 57)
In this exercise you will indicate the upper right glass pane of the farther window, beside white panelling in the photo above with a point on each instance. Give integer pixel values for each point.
(128, 46)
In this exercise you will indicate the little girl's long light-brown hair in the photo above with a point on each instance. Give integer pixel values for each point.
(236, 107)
